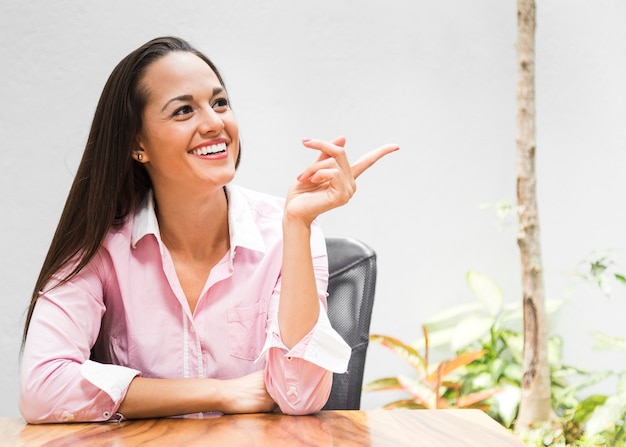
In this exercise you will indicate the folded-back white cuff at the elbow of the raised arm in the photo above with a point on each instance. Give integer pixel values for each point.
(322, 346)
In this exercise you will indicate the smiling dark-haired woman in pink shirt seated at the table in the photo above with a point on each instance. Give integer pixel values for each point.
(167, 290)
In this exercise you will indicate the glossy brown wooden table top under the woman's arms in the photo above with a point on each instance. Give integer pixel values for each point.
(383, 428)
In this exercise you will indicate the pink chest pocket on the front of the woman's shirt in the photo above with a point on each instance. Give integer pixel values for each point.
(246, 330)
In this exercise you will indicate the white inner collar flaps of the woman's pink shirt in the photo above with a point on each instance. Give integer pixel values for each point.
(242, 227)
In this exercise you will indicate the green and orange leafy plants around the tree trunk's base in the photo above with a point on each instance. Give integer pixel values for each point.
(486, 339)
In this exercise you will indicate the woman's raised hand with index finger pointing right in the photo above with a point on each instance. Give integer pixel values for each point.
(329, 182)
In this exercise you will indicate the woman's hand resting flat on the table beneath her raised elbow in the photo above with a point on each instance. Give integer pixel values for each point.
(247, 394)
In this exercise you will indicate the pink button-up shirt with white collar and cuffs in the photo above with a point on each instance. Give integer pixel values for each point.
(125, 314)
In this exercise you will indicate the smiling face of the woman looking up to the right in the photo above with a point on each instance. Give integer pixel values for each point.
(190, 137)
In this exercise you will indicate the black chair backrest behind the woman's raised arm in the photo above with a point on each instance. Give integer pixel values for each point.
(351, 287)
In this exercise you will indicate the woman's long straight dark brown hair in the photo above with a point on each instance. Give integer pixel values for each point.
(109, 184)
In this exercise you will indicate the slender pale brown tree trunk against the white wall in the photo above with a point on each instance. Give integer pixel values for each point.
(535, 403)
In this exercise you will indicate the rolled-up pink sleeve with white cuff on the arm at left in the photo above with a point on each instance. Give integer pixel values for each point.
(58, 382)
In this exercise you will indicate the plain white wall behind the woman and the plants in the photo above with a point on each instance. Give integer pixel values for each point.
(437, 77)
